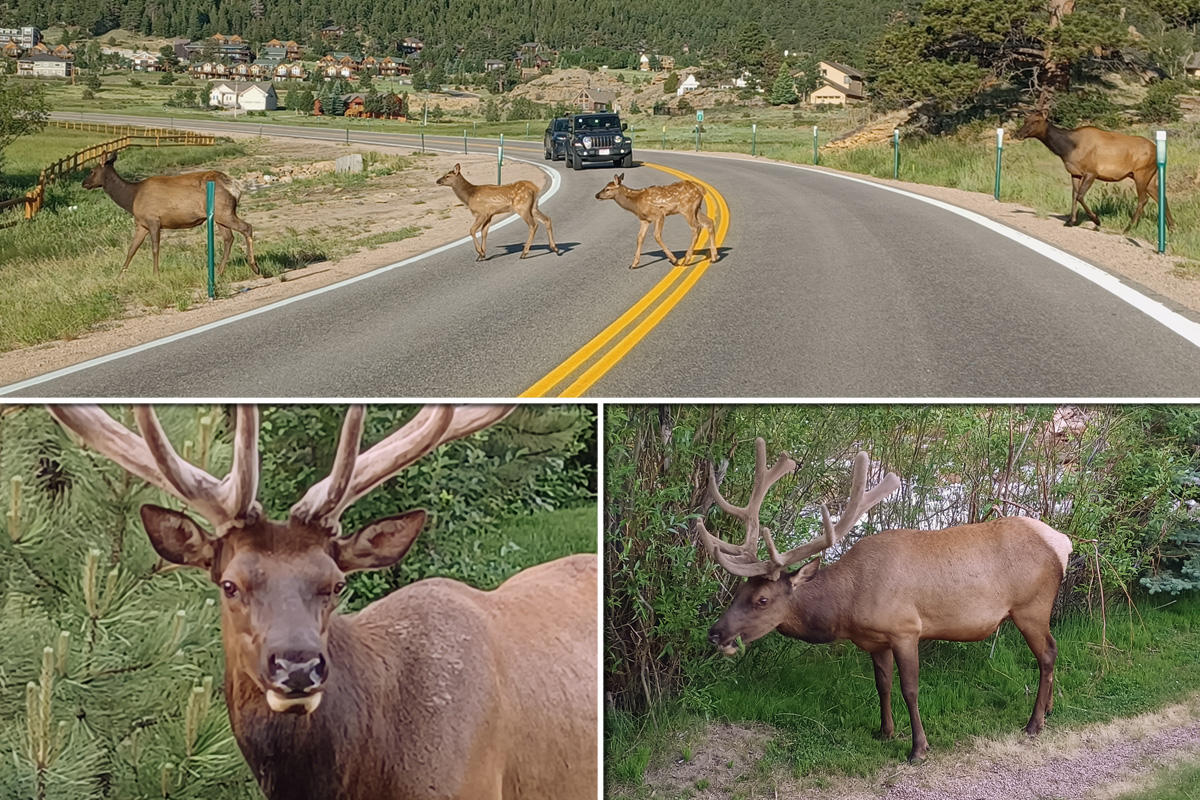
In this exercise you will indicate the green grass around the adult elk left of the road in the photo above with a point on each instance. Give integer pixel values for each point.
(61, 269)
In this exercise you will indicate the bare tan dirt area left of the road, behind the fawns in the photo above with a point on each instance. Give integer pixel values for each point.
(389, 203)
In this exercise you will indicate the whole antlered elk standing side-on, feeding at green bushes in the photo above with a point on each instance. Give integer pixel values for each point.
(893, 590)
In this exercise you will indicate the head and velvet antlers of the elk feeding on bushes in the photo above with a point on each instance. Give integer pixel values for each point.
(765, 600)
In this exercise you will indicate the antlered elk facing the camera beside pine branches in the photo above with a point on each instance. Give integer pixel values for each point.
(437, 691)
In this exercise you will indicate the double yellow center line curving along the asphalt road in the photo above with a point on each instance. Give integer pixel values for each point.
(602, 354)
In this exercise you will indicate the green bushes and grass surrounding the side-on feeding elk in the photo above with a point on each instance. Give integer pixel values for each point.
(1118, 480)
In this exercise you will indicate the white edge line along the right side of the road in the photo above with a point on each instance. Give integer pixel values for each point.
(1157, 311)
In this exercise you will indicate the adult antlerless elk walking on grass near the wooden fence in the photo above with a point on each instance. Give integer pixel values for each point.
(175, 202)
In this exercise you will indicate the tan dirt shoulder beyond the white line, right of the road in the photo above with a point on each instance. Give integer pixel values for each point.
(1171, 278)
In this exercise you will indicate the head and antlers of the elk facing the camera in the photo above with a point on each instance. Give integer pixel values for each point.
(280, 581)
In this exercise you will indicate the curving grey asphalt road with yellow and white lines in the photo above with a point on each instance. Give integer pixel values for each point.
(827, 286)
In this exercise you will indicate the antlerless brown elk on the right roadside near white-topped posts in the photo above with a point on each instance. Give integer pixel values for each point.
(1091, 154)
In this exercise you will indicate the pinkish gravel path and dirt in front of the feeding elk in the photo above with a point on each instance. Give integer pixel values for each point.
(1099, 762)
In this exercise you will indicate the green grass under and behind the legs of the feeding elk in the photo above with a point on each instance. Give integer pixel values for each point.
(821, 705)
